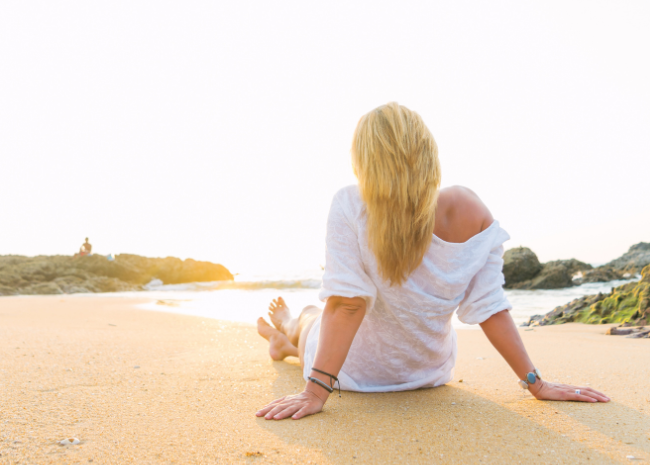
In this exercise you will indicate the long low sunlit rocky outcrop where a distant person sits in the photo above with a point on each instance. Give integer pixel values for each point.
(67, 275)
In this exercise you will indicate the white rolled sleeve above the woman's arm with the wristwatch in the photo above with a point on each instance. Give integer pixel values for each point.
(485, 295)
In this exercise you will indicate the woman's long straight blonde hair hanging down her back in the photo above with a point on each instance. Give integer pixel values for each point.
(395, 159)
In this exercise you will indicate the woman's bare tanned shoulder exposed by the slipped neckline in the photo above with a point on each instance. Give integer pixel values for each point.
(460, 214)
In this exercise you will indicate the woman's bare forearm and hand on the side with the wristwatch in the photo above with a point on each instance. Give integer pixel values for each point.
(503, 334)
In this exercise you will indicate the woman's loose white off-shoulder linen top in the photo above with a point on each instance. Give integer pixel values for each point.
(406, 340)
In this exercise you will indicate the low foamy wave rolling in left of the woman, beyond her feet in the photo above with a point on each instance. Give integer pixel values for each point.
(157, 285)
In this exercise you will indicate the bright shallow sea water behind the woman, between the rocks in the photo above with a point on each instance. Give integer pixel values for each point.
(247, 297)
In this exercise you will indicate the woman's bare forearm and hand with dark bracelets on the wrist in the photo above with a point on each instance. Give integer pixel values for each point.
(339, 324)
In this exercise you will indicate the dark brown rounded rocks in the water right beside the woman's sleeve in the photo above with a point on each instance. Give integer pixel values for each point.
(522, 270)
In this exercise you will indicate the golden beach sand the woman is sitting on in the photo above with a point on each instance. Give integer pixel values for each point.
(139, 386)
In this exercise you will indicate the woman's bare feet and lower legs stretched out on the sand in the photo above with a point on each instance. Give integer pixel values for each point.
(290, 334)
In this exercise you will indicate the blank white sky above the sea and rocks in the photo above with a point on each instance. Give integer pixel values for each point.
(221, 130)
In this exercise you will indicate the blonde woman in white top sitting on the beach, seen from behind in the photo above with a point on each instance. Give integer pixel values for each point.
(402, 256)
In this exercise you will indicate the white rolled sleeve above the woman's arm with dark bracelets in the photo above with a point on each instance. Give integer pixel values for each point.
(345, 274)
